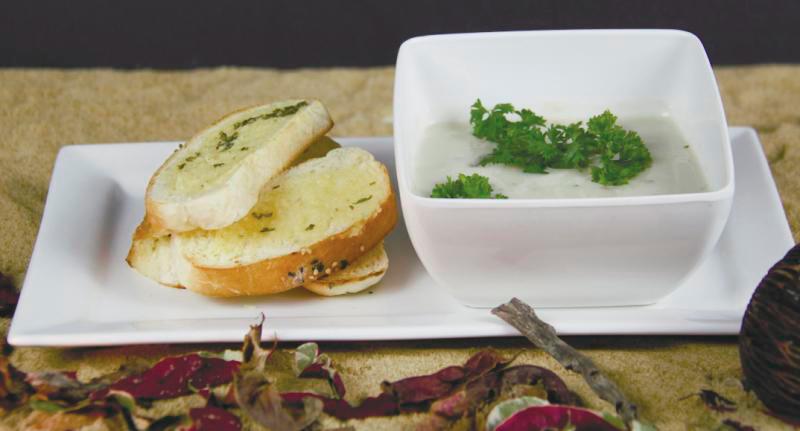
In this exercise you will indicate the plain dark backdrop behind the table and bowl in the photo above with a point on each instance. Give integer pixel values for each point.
(320, 33)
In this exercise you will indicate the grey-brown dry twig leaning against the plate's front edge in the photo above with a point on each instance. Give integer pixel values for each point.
(521, 316)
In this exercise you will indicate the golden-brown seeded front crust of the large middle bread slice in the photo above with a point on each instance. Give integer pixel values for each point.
(286, 272)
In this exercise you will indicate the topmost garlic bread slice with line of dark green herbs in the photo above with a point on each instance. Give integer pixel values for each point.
(214, 179)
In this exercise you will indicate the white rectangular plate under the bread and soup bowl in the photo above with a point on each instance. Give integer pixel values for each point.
(80, 292)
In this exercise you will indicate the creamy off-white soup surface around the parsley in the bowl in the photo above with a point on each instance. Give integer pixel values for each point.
(450, 149)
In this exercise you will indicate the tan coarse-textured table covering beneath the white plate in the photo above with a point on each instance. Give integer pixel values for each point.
(42, 110)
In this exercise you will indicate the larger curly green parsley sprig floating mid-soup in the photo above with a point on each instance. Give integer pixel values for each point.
(613, 154)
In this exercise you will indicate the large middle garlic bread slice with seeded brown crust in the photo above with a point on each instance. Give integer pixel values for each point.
(308, 223)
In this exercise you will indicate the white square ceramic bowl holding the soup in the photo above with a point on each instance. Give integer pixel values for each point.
(563, 252)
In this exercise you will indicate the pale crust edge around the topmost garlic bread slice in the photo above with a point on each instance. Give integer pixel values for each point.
(233, 199)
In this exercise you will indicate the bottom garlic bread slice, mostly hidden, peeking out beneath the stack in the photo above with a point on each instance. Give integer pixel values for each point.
(365, 272)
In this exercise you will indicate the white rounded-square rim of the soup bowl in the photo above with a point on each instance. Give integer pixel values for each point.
(720, 194)
